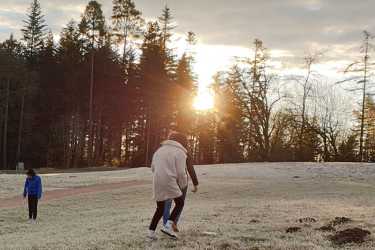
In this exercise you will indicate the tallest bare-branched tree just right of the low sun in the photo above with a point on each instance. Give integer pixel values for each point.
(254, 90)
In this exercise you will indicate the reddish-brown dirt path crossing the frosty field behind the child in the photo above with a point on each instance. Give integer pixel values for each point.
(68, 192)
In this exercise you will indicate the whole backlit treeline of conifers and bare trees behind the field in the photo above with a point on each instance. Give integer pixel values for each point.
(107, 92)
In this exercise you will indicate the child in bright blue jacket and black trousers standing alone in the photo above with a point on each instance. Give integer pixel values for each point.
(33, 191)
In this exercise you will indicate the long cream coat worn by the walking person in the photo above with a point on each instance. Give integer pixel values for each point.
(169, 171)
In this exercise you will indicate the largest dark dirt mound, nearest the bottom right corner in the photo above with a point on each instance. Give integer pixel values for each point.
(351, 235)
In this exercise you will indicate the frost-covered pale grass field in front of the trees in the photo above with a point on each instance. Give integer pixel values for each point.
(239, 206)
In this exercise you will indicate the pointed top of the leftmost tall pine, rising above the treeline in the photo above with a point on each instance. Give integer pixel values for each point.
(34, 32)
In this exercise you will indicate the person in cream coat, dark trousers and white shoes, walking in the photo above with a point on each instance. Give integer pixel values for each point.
(169, 178)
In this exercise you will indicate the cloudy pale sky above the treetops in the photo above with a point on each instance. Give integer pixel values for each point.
(290, 29)
